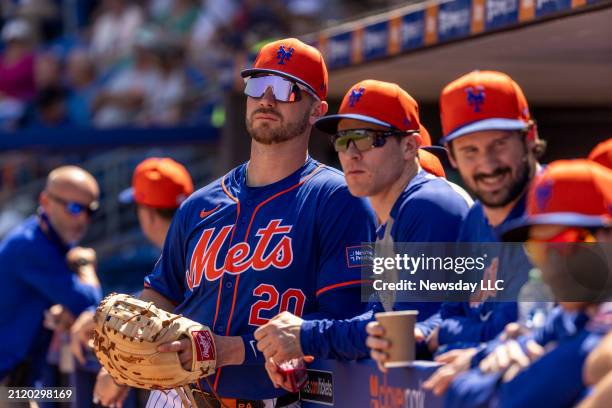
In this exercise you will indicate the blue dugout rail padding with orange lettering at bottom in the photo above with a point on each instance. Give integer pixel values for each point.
(361, 384)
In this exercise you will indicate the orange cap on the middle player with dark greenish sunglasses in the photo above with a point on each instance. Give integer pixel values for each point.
(377, 102)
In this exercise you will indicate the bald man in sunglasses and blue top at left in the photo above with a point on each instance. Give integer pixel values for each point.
(41, 267)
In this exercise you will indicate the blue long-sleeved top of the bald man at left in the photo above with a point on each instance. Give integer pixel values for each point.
(35, 276)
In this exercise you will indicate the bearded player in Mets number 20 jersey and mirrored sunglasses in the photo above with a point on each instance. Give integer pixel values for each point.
(278, 233)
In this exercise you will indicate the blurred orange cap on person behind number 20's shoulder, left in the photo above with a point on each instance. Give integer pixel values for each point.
(159, 182)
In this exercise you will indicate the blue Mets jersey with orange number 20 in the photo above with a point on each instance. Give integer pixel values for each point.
(235, 256)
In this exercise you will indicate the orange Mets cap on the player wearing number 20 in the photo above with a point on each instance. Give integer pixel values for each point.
(292, 59)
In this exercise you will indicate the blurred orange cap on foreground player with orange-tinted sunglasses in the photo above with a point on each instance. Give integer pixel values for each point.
(574, 193)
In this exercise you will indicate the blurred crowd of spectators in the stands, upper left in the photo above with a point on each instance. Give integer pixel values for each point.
(117, 63)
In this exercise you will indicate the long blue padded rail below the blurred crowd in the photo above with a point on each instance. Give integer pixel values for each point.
(78, 137)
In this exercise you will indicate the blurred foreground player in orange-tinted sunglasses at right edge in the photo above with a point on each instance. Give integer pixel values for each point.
(569, 202)
